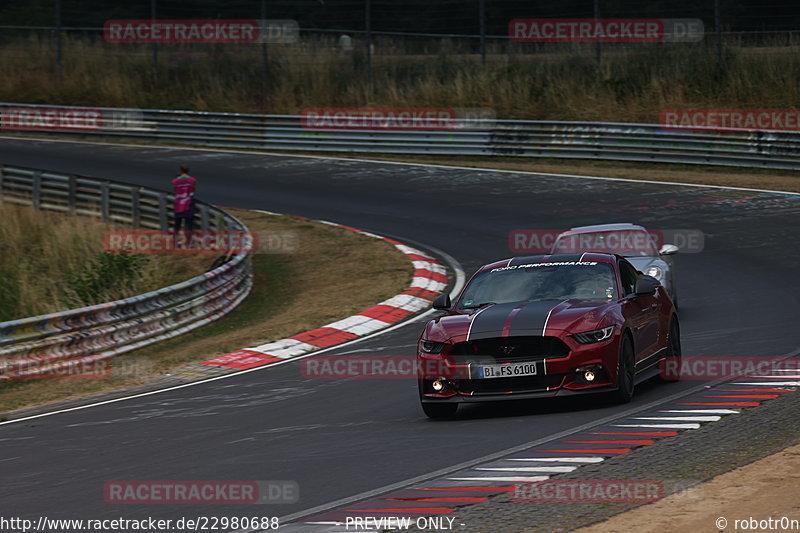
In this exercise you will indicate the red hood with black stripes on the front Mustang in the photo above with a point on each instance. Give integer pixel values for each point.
(520, 319)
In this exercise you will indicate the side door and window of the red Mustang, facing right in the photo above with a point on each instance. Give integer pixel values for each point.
(641, 312)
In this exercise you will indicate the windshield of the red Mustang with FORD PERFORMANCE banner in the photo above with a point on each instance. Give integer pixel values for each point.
(541, 281)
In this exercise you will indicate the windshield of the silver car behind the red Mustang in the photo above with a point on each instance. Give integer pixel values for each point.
(627, 243)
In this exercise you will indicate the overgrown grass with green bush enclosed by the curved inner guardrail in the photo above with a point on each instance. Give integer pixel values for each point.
(50, 262)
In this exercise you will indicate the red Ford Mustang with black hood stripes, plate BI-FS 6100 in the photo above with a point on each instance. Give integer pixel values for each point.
(547, 325)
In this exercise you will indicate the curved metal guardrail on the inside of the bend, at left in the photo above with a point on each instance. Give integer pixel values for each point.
(55, 342)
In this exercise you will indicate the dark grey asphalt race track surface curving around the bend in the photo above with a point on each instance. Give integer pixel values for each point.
(337, 438)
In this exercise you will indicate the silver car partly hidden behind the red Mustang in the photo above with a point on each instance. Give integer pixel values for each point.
(628, 240)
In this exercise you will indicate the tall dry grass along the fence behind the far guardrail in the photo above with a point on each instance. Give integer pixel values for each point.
(634, 83)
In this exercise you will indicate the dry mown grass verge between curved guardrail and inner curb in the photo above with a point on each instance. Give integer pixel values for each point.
(334, 274)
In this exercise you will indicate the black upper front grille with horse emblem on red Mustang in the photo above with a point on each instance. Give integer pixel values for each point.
(508, 350)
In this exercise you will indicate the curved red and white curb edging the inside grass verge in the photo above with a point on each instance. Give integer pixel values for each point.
(429, 280)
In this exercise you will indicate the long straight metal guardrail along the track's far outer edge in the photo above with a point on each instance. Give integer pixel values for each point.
(577, 140)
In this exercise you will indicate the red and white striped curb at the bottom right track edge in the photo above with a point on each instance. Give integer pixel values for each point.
(443, 495)
